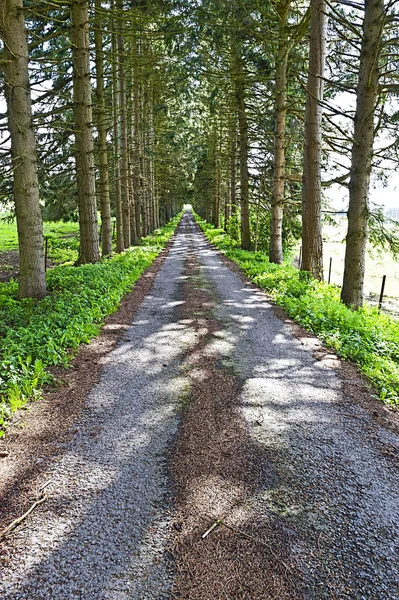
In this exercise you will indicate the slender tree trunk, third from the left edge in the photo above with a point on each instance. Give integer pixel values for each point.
(105, 206)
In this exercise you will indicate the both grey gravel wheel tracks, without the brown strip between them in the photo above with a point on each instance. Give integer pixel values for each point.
(331, 479)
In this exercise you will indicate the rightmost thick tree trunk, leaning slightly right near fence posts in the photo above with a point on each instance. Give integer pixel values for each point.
(362, 153)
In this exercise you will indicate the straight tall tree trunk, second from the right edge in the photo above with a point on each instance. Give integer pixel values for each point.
(312, 245)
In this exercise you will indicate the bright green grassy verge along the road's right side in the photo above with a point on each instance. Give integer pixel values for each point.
(369, 339)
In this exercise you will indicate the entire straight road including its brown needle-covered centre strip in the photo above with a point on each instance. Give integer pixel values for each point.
(217, 457)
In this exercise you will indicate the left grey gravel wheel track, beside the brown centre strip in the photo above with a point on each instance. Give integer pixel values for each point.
(102, 533)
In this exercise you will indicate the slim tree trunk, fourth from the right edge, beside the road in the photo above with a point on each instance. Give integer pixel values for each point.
(243, 148)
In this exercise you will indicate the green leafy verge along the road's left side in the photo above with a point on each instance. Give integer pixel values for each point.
(35, 335)
